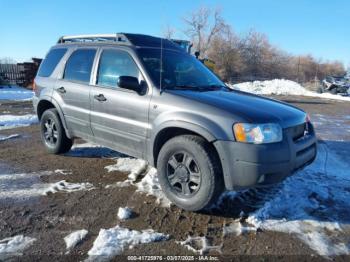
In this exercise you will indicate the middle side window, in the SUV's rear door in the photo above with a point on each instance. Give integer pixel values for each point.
(79, 64)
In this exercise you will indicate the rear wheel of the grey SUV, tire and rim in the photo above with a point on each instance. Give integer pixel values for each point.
(53, 134)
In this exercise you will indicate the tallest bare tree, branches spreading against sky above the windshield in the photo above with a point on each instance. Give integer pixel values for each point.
(202, 26)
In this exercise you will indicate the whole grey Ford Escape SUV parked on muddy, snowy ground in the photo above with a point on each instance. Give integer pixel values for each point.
(147, 97)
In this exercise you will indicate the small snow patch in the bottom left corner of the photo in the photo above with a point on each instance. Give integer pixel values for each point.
(14, 246)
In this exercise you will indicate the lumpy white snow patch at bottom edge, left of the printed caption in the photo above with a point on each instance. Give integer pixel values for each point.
(112, 242)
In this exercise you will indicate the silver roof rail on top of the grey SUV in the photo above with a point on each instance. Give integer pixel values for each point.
(121, 38)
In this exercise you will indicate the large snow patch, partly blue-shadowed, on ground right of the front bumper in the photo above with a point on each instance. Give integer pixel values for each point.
(313, 204)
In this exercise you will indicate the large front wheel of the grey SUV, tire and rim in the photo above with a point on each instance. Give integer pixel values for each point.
(189, 172)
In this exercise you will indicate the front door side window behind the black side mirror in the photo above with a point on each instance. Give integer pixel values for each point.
(113, 64)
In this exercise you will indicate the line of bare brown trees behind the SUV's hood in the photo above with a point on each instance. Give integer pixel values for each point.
(251, 56)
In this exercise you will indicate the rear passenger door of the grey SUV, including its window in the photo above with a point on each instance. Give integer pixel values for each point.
(74, 90)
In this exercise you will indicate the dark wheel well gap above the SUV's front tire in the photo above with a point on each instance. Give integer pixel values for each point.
(168, 133)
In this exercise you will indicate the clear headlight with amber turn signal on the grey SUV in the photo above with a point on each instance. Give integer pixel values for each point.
(257, 133)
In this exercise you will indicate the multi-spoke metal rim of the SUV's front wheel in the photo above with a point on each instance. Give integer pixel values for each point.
(183, 174)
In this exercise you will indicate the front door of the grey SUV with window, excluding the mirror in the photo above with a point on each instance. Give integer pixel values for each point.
(119, 117)
